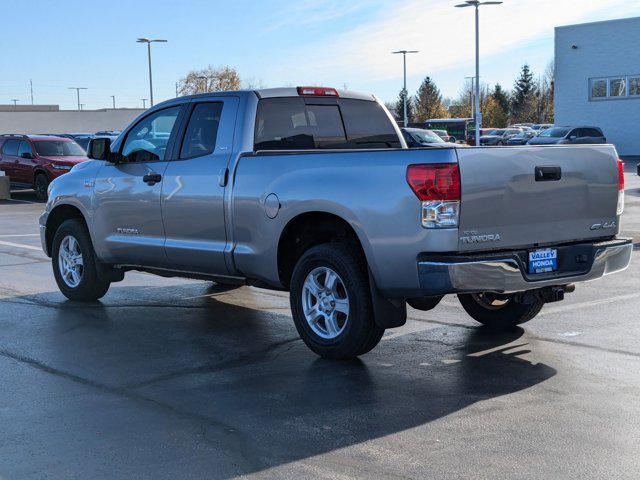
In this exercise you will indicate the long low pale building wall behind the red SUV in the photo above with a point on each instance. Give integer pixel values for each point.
(66, 121)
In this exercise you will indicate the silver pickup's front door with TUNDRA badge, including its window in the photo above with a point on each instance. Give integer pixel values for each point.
(127, 222)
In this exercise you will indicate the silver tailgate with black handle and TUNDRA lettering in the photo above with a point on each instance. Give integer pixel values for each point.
(534, 196)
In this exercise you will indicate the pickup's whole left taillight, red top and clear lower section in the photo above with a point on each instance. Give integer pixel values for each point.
(437, 186)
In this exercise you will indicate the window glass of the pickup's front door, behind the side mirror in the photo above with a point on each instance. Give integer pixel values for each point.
(147, 141)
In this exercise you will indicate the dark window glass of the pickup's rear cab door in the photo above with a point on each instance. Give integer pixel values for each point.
(202, 130)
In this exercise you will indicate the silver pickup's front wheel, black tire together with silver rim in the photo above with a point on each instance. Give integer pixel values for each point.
(74, 263)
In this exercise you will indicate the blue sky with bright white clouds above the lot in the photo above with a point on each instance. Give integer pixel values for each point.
(273, 43)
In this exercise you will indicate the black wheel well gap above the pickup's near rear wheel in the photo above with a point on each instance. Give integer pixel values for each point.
(306, 231)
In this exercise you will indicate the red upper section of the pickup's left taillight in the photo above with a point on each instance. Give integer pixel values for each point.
(434, 181)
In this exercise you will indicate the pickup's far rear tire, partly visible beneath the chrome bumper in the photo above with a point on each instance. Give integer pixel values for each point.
(505, 313)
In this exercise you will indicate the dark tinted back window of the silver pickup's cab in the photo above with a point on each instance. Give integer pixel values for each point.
(293, 124)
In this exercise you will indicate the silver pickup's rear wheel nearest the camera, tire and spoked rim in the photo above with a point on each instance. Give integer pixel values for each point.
(331, 302)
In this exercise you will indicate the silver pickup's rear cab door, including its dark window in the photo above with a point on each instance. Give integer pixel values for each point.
(194, 186)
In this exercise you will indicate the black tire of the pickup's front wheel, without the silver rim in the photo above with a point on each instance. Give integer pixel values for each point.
(90, 287)
